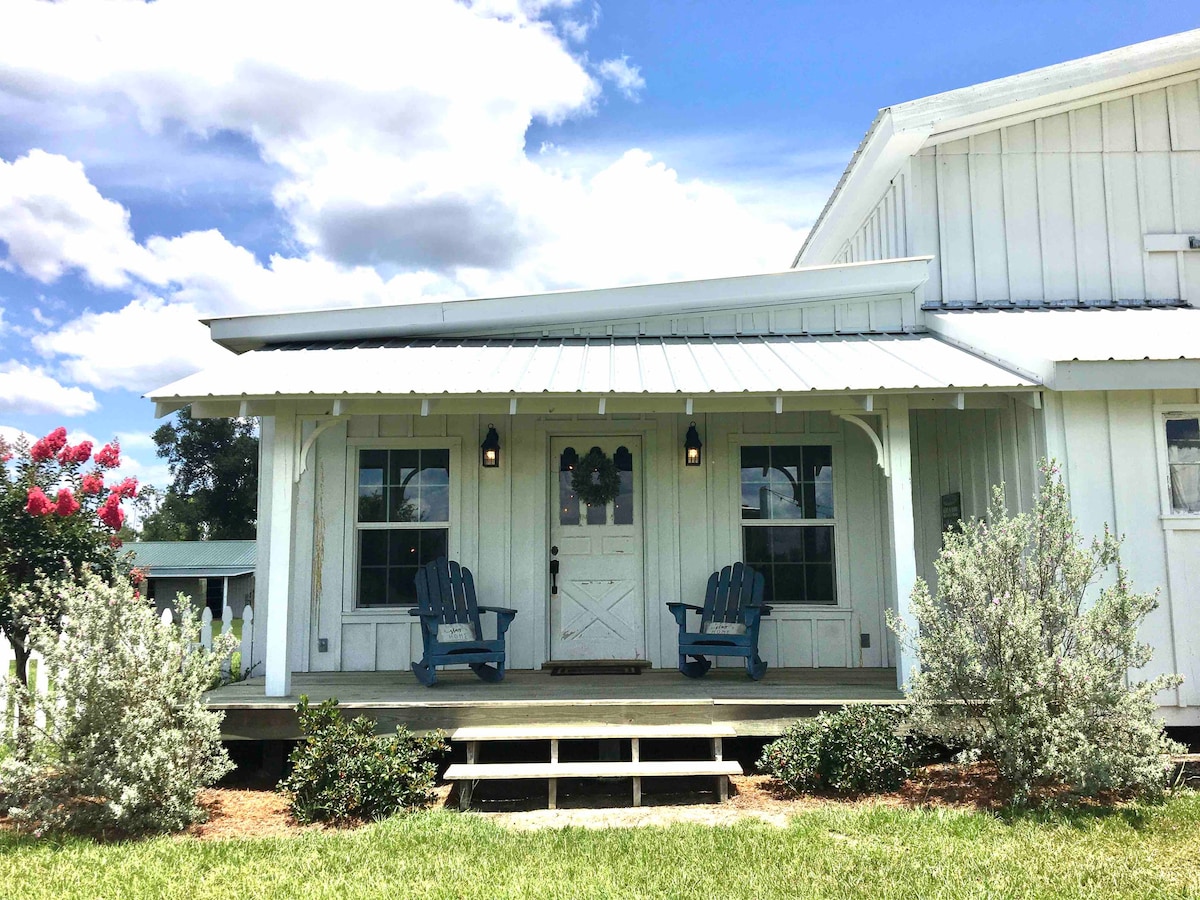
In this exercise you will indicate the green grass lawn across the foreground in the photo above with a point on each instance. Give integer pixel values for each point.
(838, 851)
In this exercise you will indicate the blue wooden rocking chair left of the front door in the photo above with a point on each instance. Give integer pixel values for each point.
(451, 631)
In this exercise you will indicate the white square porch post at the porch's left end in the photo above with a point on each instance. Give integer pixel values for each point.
(278, 663)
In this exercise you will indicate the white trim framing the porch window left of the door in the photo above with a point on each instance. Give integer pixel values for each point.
(350, 555)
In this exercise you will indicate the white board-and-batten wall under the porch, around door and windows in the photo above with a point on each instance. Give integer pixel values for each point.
(501, 531)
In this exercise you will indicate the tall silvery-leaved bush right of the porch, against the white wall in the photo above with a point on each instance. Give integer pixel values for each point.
(1028, 661)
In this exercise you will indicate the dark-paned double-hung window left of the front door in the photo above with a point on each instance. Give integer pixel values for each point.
(403, 521)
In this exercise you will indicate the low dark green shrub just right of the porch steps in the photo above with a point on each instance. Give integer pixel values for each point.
(859, 749)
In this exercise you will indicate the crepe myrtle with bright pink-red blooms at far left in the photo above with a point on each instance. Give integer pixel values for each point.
(56, 519)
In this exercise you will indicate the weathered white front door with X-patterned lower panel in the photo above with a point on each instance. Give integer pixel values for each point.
(599, 609)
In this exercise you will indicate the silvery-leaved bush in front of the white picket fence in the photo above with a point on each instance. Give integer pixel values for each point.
(127, 742)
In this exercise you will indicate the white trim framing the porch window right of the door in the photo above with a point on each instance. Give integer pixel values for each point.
(839, 523)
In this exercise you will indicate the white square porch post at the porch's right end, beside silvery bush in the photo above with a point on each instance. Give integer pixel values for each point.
(904, 538)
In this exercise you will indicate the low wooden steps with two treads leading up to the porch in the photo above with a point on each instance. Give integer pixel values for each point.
(637, 769)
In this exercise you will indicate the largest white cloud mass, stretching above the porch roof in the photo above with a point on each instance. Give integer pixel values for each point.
(397, 134)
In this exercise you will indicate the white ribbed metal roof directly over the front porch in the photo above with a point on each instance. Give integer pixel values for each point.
(698, 367)
